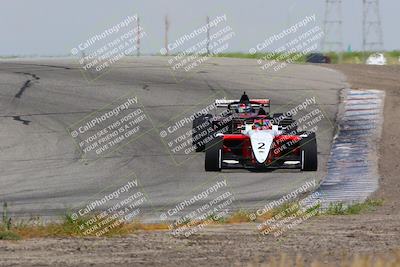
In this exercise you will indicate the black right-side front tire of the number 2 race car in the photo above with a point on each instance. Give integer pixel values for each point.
(308, 153)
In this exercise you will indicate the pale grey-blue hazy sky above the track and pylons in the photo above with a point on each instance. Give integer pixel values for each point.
(54, 27)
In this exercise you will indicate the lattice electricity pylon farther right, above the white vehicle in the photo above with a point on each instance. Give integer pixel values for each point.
(372, 26)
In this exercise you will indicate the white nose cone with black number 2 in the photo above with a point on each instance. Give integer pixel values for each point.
(261, 143)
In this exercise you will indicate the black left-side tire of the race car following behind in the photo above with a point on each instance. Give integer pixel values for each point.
(200, 131)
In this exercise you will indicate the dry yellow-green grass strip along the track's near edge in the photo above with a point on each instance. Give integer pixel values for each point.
(73, 228)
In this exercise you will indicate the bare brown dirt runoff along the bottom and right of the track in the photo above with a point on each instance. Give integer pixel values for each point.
(325, 238)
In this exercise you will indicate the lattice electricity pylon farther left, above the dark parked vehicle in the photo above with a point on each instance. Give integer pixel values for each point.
(333, 39)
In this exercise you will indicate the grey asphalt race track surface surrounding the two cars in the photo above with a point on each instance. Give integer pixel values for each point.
(41, 171)
